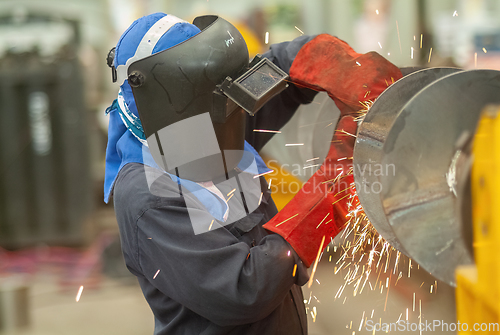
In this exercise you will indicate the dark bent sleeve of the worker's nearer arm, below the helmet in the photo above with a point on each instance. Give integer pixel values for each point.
(214, 274)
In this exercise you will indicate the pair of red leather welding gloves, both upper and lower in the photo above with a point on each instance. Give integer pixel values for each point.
(320, 209)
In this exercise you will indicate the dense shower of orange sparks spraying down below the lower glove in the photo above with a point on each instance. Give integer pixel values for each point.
(364, 260)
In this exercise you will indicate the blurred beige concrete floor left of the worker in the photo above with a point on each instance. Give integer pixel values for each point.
(113, 308)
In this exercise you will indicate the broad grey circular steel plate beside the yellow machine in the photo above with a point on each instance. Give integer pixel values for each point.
(418, 202)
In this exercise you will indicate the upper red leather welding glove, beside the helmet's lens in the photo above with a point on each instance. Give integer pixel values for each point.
(329, 64)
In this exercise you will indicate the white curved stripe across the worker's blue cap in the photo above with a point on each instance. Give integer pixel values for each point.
(147, 44)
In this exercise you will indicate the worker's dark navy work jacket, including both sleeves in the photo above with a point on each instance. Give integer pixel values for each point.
(237, 279)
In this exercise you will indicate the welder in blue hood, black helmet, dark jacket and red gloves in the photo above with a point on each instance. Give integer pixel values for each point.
(197, 222)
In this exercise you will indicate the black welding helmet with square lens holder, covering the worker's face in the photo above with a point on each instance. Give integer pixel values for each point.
(192, 97)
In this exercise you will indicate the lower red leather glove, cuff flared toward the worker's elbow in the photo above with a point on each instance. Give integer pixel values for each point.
(319, 210)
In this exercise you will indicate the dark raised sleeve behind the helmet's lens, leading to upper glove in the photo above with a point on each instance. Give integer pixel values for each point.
(276, 113)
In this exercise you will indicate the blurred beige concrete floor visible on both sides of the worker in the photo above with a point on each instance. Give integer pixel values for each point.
(118, 307)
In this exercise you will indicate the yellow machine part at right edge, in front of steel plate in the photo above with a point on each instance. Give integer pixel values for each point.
(478, 285)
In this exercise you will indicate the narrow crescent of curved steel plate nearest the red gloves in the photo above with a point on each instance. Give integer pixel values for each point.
(371, 139)
